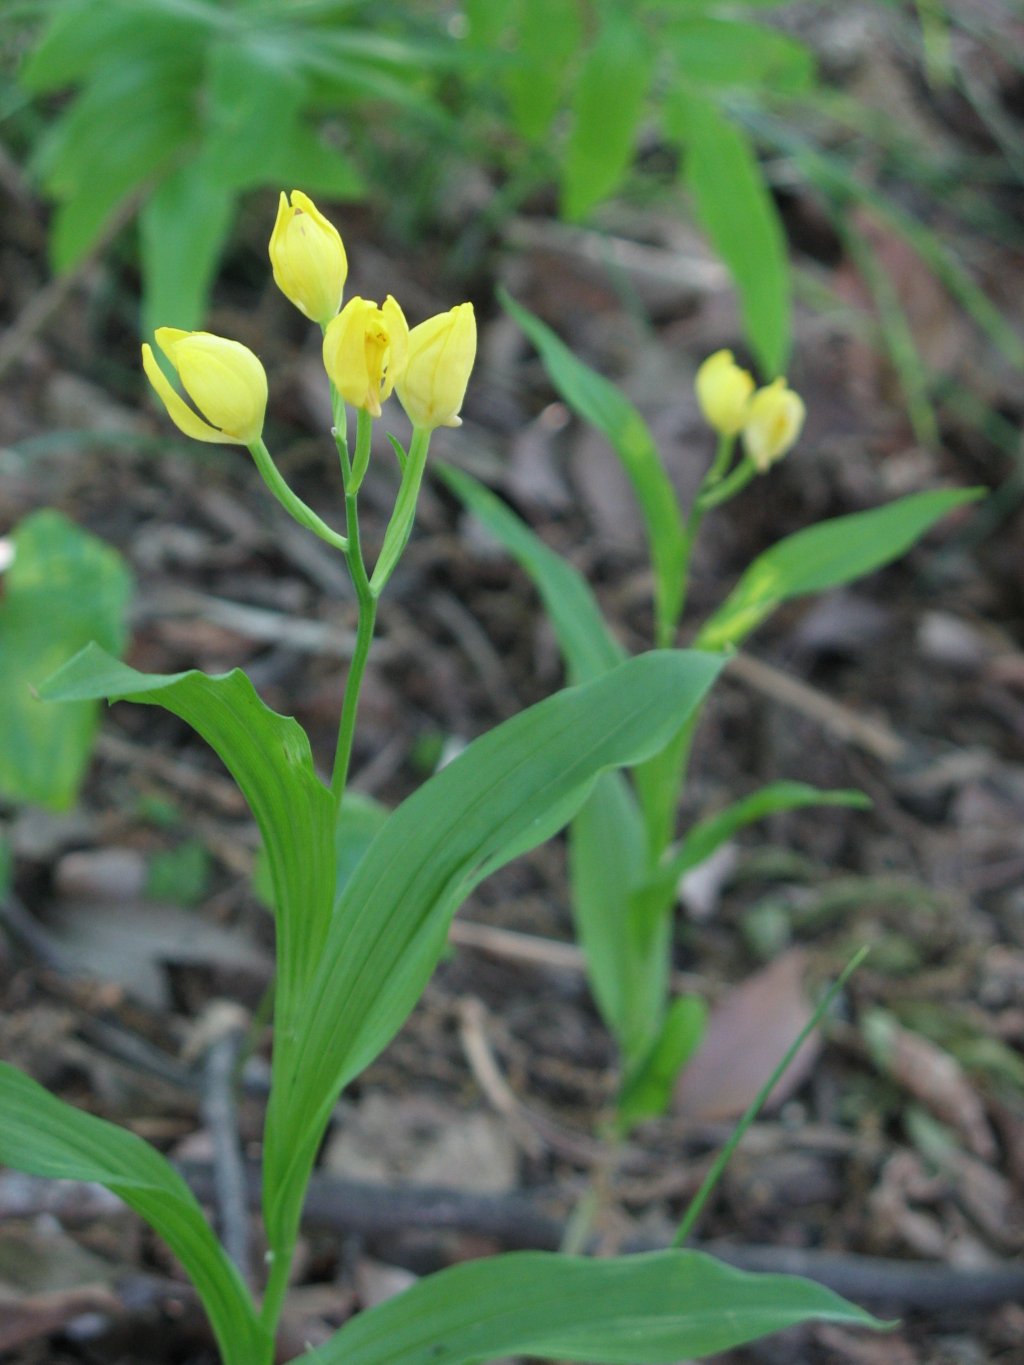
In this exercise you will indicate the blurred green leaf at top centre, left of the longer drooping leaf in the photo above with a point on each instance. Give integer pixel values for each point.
(607, 109)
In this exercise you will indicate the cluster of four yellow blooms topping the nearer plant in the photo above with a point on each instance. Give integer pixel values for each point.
(369, 351)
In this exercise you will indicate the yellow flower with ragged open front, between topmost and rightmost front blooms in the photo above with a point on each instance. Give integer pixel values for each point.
(365, 351)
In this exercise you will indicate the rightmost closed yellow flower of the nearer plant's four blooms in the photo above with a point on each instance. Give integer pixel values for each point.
(440, 360)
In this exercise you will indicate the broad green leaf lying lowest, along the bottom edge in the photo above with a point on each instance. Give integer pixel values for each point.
(648, 1310)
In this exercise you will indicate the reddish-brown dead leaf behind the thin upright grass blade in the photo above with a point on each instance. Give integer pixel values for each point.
(748, 1035)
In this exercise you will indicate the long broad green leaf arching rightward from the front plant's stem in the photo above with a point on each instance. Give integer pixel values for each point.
(506, 794)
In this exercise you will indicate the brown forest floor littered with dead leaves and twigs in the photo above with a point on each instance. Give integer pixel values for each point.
(898, 1147)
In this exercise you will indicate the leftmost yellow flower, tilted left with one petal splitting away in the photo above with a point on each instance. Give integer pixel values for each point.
(223, 379)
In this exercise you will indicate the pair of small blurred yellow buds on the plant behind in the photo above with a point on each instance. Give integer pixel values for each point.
(771, 418)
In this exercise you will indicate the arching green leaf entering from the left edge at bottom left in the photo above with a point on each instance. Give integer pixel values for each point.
(44, 1136)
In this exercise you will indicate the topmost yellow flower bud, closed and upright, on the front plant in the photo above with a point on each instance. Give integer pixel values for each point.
(308, 257)
